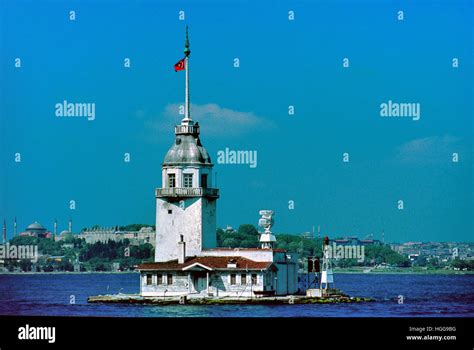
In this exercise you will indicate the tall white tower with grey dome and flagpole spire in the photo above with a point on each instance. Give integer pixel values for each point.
(186, 203)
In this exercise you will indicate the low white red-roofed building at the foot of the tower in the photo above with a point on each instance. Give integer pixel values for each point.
(240, 272)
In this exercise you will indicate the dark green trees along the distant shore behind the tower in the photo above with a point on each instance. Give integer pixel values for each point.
(120, 255)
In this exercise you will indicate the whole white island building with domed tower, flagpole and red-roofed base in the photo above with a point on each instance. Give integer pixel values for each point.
(187, 259)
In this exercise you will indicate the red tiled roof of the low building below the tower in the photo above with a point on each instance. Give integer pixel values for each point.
(209, 262)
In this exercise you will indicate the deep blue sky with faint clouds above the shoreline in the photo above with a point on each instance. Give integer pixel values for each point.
(282, 63)
